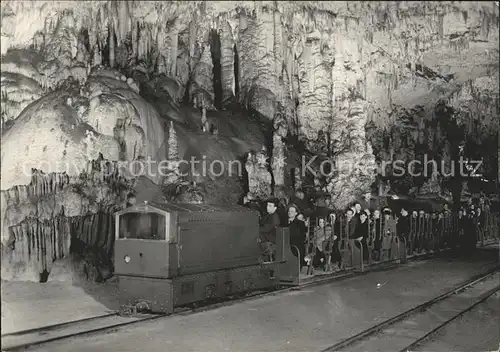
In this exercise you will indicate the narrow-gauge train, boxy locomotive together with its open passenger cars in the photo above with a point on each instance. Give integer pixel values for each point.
(169, 255)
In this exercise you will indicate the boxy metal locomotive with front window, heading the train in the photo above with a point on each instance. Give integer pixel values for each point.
(169, 255)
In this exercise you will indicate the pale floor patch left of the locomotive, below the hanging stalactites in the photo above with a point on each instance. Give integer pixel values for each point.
(30, 305)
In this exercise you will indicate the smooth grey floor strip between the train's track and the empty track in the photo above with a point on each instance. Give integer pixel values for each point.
(310, 319)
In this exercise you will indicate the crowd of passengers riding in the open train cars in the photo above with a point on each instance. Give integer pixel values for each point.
(317, 230)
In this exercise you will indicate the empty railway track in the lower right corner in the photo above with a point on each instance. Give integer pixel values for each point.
(409, 329)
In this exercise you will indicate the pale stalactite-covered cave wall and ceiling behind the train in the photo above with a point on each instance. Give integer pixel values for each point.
(99, 83)
